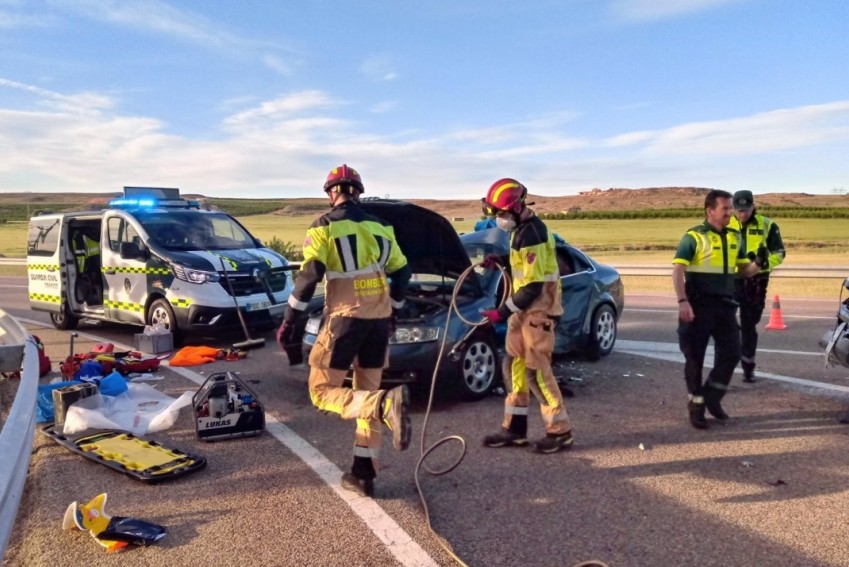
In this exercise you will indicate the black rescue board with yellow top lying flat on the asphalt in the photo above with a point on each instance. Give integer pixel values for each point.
(140, 458)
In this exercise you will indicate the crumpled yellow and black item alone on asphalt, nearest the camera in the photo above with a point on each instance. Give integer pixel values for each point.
(112, 532)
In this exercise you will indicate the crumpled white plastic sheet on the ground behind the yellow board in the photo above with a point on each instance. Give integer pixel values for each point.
(140, 410)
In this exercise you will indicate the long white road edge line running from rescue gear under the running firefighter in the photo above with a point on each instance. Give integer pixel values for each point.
(397, 541)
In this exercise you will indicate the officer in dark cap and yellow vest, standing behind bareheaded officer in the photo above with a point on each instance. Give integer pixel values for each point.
(761, 238)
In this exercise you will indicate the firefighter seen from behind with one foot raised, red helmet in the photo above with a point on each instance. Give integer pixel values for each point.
(366, 276)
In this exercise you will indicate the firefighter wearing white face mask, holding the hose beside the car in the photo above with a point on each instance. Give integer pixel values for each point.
(532, 313)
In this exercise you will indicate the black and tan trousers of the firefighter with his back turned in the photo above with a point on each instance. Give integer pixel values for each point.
(341, 343)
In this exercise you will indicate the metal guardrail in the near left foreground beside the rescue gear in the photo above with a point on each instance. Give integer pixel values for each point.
(17, 433)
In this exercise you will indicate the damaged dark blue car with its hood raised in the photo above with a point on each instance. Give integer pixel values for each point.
(593, 299)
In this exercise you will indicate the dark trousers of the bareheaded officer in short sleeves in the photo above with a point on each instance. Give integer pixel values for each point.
(717, 319)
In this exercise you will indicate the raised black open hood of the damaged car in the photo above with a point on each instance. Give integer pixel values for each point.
(427, 239)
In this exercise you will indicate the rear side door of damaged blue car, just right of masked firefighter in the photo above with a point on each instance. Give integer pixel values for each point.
(578, 284)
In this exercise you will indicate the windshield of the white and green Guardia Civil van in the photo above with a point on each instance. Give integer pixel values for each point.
(193, 230)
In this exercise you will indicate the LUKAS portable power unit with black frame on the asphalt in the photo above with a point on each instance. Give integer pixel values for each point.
(224, 407)
